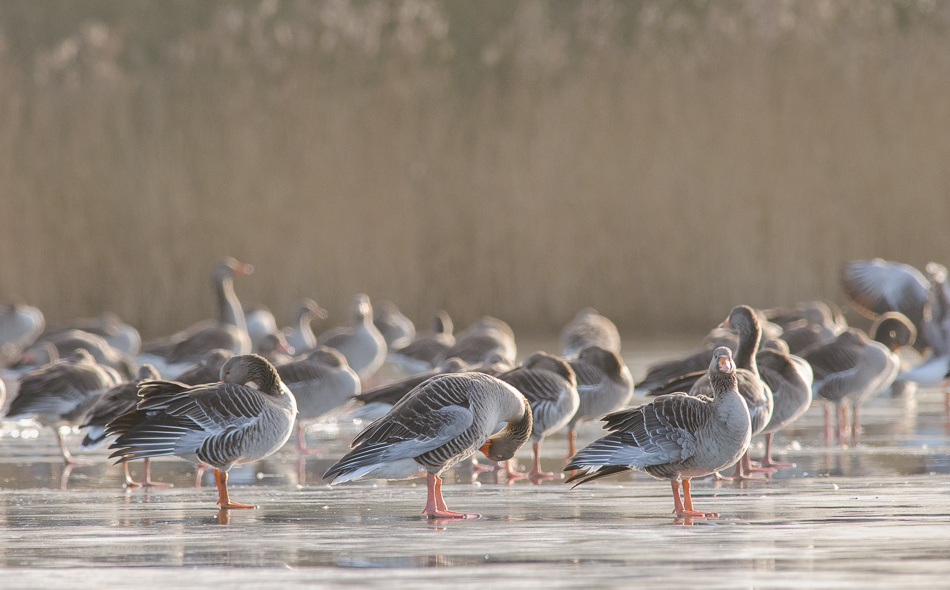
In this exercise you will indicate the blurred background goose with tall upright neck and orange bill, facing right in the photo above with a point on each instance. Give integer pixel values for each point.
(175, 353)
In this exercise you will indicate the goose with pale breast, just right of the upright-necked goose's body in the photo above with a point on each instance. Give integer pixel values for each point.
(789, 377)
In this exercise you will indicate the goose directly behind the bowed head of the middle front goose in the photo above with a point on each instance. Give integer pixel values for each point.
(550, 386)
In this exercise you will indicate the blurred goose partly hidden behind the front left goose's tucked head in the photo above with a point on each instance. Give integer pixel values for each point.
(322, 382)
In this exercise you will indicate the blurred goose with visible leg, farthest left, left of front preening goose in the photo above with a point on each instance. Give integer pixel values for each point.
(60, 394)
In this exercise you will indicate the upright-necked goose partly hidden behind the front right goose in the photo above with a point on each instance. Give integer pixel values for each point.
(754, 391)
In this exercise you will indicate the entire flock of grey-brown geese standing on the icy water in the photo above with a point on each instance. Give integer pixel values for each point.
(234, 390)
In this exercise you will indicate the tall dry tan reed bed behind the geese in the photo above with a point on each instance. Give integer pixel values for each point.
(659, 160)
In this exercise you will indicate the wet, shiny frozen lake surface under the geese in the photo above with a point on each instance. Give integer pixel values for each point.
(875, 514)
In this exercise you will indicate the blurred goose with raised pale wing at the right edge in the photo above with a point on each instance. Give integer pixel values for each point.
(875, 287)
